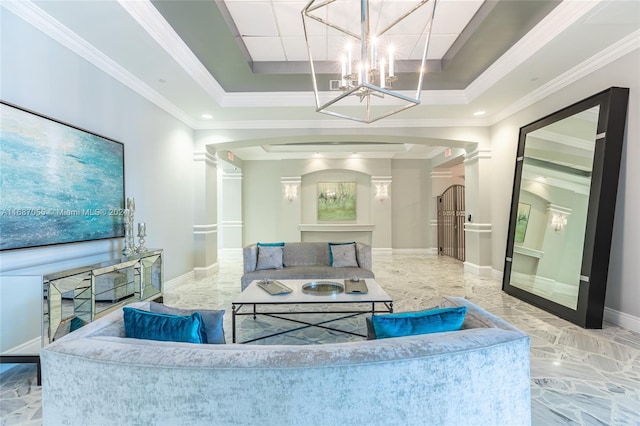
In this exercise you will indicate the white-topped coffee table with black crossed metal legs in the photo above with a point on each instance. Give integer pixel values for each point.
(256, 297)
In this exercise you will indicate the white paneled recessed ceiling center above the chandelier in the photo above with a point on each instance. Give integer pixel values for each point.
(272, 30)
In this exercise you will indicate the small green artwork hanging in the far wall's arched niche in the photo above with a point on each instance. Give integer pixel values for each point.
(336, 201)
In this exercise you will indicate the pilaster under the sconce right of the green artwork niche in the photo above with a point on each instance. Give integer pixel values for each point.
(381, 212)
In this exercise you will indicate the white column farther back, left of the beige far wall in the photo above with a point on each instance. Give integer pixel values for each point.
(232, 225)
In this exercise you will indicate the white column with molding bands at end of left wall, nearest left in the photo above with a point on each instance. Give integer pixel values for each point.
(205, 217)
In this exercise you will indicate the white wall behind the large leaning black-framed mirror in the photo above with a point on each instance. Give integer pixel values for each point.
(623, 291)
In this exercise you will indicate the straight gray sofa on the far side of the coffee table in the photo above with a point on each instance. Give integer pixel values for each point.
(305, 260)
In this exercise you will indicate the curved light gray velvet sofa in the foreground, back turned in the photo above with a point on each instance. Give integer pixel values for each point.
(476, 376)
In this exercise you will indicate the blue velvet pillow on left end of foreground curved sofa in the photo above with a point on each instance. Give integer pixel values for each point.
(141, 324)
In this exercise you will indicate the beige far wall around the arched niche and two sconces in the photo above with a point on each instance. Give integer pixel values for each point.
(405, 226)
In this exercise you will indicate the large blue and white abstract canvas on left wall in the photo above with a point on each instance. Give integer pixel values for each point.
(59, 184)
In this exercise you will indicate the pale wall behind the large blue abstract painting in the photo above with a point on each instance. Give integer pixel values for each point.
(40, 74)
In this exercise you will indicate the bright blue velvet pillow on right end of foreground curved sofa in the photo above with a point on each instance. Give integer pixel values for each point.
(413, 323)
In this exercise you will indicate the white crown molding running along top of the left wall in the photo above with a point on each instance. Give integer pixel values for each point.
(39, 19)
